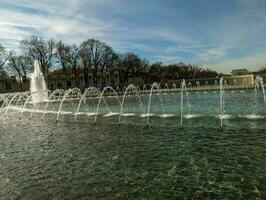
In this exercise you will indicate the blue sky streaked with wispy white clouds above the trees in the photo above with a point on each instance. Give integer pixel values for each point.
(220, 34)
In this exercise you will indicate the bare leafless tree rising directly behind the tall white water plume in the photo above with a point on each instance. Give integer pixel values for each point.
(38, 49)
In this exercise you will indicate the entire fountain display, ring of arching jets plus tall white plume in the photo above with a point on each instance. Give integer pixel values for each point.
(74, 105)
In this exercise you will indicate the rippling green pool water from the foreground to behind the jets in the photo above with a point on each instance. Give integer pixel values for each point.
(41, 159)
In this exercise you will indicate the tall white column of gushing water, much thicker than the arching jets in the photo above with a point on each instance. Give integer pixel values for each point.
(39, 92)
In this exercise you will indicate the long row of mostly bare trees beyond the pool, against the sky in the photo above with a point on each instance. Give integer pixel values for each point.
(92, 56)
